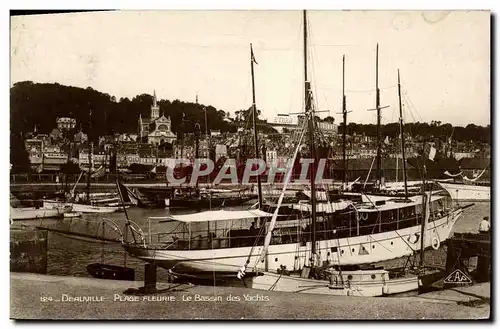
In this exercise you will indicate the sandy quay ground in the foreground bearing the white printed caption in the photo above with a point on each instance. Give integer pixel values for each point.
(36, 296)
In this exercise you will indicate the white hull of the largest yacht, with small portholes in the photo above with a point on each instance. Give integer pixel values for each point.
(364, 249)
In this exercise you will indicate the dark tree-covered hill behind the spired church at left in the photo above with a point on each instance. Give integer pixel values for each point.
(41, 103)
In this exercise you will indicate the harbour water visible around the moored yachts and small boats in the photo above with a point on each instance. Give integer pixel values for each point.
(70, 255)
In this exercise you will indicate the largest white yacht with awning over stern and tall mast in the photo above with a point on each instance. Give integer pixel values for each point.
(221, 242)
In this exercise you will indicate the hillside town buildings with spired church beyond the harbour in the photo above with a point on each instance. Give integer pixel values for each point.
(155, 146)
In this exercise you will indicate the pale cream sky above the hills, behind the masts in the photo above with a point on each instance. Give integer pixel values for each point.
(443, 58)
